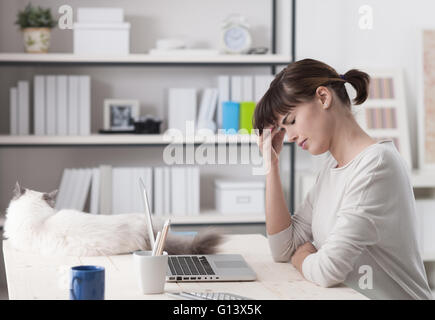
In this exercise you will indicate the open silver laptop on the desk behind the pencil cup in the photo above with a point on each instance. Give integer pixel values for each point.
(202, 267)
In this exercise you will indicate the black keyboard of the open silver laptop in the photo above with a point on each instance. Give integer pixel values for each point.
(189, 265)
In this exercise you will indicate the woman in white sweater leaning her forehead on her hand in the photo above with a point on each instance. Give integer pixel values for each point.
(357, 225)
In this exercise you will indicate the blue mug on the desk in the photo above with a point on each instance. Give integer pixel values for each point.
(87, 283)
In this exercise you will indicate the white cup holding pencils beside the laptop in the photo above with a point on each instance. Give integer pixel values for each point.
(151, 271)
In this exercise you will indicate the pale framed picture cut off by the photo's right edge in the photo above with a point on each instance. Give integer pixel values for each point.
(426, 110)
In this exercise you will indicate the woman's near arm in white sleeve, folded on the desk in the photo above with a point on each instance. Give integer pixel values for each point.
(356, 227)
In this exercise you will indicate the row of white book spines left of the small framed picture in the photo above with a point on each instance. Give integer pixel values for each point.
(61, 106)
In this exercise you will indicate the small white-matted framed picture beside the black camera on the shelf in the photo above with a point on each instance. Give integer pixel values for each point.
(119, 115)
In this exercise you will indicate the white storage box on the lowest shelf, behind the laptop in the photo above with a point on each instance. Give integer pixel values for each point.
(233, 197)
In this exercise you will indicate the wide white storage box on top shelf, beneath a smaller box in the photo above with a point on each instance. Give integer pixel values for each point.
(102, 38)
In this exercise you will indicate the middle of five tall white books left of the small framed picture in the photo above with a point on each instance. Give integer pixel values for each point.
(62, 105)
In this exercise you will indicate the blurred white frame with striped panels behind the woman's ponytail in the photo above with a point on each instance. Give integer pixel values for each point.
(384, 115)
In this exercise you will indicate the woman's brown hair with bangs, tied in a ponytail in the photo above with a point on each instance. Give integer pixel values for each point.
(298, 83)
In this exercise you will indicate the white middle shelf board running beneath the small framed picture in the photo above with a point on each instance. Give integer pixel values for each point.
(120, 139)
